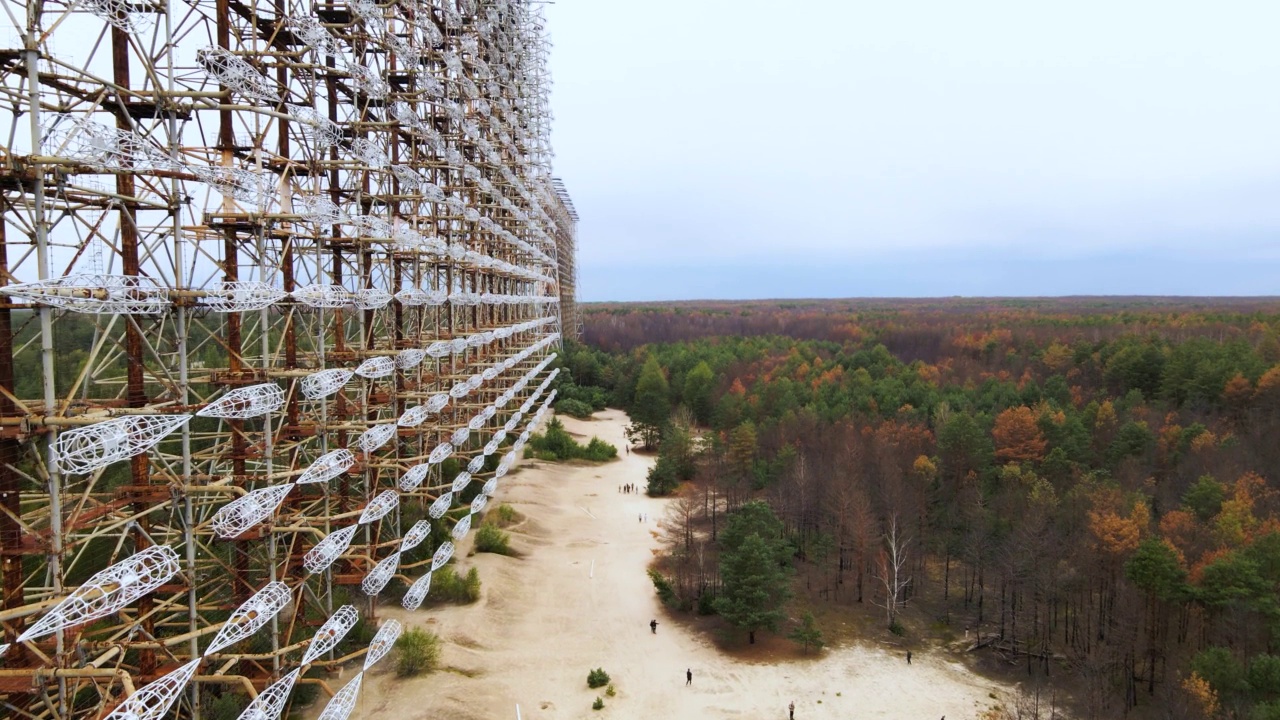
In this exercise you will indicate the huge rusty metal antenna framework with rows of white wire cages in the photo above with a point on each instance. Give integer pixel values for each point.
(280, 280)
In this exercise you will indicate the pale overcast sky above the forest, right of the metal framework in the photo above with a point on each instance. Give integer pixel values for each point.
(739, 149)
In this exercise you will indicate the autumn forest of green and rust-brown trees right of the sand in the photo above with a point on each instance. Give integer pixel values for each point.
(1087, 484)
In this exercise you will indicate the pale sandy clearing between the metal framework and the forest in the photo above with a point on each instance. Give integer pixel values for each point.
(580, 599)
